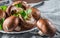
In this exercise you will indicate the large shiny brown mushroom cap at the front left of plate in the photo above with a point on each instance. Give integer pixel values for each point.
(10, 23)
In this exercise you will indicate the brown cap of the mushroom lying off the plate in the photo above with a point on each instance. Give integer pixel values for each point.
(46, 27)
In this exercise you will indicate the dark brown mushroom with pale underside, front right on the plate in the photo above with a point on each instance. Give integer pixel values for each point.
(28, 24)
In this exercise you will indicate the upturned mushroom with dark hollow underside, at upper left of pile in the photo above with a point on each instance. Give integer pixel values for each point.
(12, 10)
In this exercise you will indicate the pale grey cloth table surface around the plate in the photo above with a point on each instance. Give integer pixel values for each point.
(50, 10)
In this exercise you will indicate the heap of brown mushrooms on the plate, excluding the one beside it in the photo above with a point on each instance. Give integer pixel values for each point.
(14, 21)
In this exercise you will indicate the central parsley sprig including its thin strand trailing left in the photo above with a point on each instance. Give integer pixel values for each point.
(24, 13)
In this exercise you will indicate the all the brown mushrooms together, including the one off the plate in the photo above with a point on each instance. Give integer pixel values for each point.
(18, 23)
